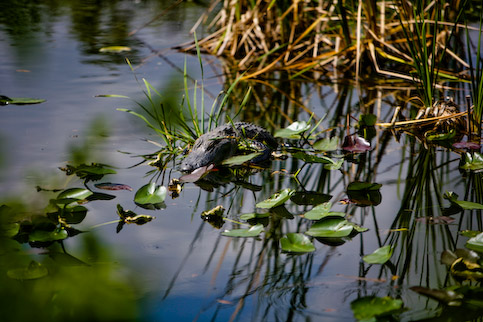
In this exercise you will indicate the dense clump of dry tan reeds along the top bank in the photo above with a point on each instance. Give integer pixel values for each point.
(327, 36)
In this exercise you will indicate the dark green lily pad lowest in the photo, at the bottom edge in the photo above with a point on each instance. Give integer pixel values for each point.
(369, 308)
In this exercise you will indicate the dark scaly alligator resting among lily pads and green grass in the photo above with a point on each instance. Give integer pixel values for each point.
(223, 142)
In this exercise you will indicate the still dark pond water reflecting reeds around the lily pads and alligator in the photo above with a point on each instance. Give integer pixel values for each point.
(178, 266)
